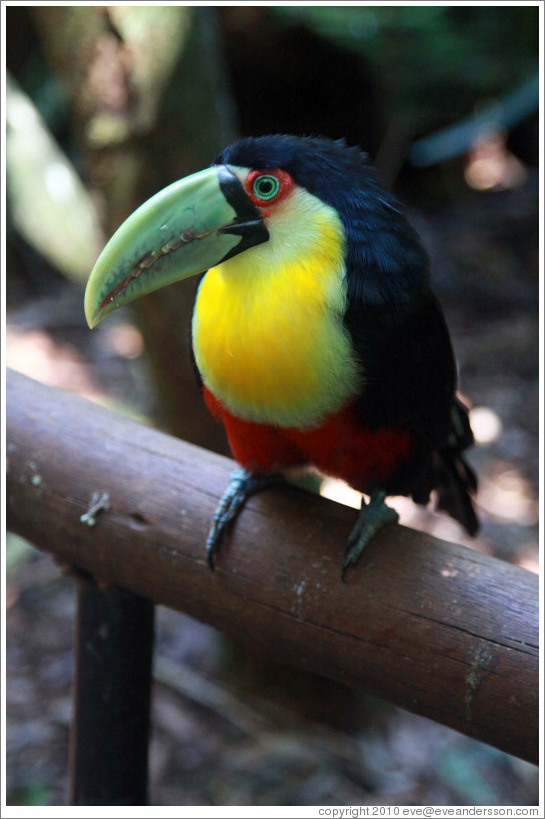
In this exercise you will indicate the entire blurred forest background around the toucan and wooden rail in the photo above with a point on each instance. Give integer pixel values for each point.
(107, 104)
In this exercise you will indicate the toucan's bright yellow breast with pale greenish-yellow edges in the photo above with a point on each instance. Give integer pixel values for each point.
(268, 334)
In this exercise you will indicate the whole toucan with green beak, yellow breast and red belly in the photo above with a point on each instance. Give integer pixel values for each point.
(316, 335)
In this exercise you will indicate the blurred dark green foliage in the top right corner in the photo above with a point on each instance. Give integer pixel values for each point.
(435, 63)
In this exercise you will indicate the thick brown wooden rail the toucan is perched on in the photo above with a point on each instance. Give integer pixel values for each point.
(433, 627)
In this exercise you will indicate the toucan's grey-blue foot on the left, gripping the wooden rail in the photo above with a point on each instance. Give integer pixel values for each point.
(242, 484)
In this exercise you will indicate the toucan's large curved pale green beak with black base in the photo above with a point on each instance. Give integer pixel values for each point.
(183, 230)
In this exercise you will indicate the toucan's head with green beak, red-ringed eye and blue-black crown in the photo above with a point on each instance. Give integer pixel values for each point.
(271, 189)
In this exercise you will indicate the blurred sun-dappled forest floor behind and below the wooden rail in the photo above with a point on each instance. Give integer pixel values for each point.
(484, 262)
